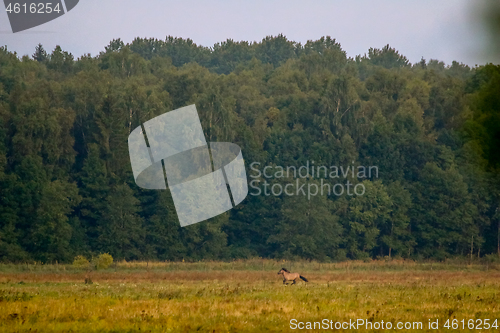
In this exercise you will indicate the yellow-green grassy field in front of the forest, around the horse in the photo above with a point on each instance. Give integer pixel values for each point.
(246, 296)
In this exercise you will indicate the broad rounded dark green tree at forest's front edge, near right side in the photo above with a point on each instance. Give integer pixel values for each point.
(443, 215)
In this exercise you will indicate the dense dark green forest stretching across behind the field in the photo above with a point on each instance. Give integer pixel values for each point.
(432, 130)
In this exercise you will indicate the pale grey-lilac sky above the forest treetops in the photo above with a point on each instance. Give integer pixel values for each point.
(445, 30)
